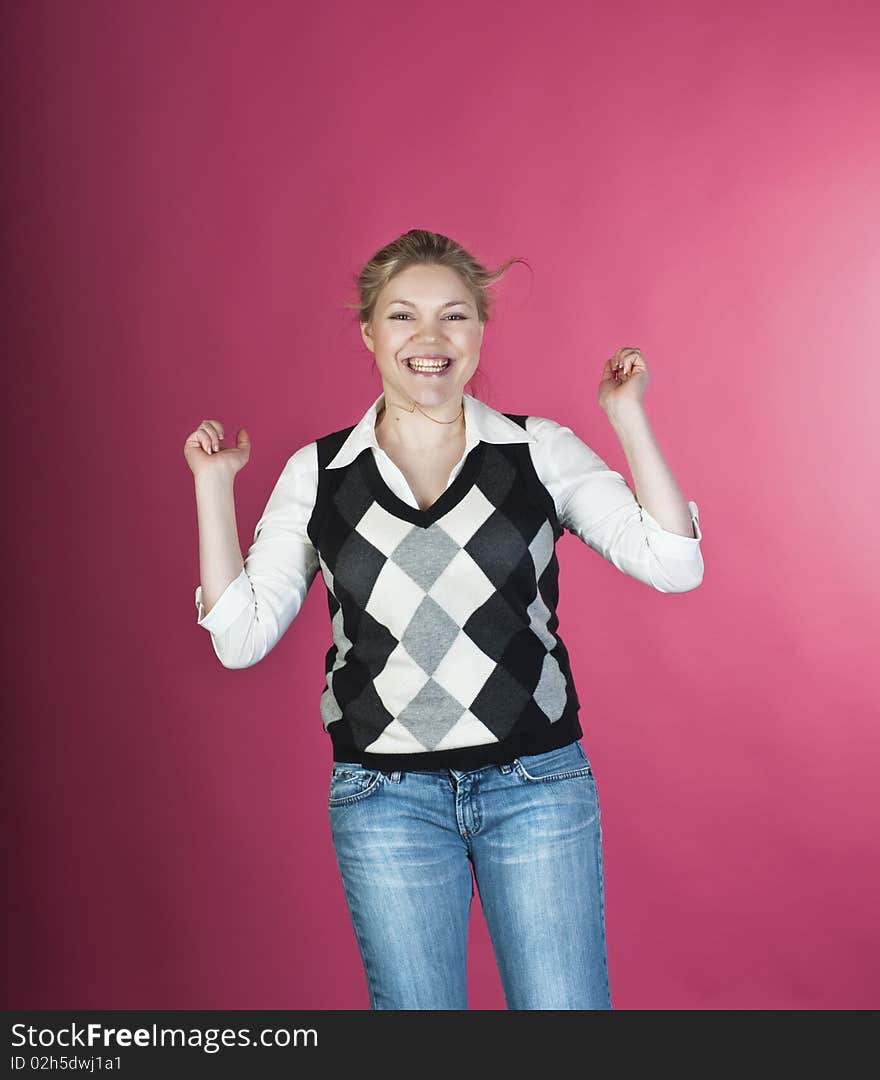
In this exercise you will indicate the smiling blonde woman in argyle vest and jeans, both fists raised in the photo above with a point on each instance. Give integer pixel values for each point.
(450, 699)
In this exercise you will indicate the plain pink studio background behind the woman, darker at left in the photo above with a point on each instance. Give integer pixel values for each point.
(188, 192)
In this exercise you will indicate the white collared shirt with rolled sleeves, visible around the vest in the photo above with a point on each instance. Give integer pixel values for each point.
(593, 503)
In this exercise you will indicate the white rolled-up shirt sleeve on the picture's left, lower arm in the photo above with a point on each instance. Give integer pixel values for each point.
(256, 609)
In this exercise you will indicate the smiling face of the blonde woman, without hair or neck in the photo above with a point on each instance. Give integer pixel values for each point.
(425, 316)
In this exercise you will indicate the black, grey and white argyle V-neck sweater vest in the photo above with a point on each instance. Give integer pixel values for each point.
(445, 653)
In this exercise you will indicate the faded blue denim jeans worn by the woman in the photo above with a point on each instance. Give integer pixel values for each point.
(407, 843)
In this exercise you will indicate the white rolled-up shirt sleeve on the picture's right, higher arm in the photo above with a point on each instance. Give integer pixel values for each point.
(597, 505)
